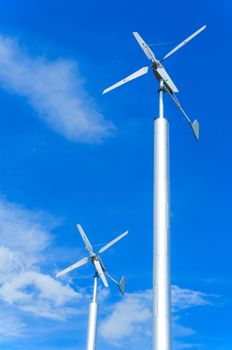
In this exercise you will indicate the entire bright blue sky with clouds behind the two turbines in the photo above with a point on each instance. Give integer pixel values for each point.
(72, 155)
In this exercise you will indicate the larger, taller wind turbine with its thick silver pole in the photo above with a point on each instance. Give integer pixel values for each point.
(161, 213)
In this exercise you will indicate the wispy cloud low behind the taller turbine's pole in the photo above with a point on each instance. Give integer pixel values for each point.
(133, 315)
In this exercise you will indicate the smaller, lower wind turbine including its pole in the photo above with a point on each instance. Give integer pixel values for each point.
(100, 271)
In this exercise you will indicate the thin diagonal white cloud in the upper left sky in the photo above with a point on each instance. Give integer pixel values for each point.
(55, 90)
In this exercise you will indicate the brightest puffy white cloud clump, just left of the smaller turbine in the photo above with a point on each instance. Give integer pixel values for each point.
(39, 294)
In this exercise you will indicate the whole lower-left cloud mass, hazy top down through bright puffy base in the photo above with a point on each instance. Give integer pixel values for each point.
(25, 236)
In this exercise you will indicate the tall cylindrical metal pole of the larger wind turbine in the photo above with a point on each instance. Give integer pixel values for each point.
(161, 253)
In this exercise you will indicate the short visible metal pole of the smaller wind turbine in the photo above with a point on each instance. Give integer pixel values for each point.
(92, 325)
